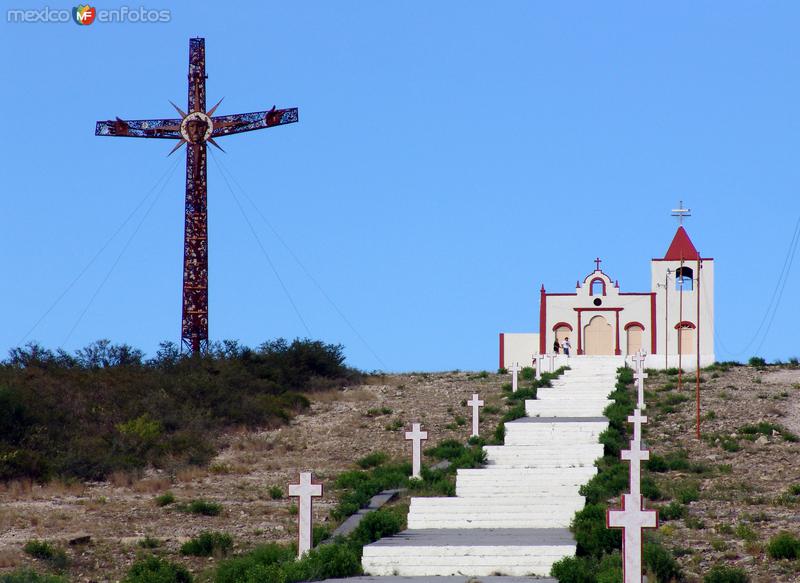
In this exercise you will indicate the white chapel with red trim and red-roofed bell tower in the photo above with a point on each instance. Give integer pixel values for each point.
(671, 323)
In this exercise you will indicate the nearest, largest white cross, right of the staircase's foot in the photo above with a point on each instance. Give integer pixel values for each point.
(632, 518)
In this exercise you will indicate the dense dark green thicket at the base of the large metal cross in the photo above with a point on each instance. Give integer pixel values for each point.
(106, 426)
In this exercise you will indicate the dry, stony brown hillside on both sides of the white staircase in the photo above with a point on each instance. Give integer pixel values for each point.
(722, 498)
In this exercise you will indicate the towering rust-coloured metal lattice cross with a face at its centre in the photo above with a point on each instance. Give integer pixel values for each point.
(195, 127)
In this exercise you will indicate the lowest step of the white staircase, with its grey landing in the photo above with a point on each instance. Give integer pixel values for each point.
(476, 553)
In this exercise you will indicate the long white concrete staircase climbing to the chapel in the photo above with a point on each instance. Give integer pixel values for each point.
(512, 516)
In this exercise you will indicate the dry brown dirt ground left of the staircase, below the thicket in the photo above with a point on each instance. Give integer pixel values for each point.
(340, 428)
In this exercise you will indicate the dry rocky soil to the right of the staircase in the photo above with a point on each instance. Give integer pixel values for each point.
(742, 479)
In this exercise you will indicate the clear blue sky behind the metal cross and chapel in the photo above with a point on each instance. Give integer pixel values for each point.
(450, 158)
